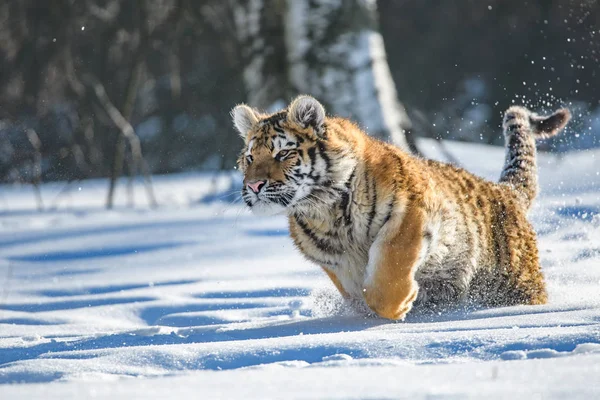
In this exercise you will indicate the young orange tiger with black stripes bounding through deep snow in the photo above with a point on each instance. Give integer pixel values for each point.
(391, 229)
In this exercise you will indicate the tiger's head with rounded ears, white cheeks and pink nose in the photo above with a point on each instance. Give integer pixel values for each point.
(291, 160)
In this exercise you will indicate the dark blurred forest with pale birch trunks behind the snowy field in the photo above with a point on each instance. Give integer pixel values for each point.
(100, 88)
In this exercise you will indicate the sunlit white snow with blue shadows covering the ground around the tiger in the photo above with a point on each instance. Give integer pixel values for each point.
(200, 299)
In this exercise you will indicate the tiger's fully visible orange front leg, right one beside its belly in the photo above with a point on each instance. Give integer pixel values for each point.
(390, 288)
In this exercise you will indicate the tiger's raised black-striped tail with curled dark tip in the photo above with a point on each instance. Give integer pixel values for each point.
(521, 128)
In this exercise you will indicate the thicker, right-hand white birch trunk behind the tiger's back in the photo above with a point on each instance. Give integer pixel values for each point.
(336, 54)
